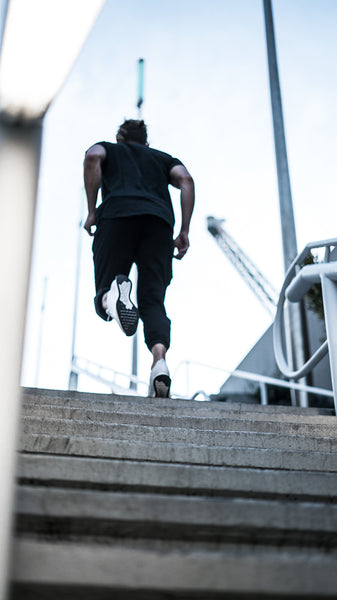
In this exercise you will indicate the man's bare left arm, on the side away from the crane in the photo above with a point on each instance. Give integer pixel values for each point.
(92, 181)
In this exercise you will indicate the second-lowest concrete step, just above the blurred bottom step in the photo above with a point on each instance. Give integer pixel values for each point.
(64, 513)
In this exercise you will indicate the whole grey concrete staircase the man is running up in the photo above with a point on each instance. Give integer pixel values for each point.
(147, 499)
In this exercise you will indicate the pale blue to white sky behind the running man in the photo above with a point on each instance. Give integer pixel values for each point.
(207, 102)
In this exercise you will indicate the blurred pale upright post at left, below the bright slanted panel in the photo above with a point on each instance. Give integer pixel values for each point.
(19, 165)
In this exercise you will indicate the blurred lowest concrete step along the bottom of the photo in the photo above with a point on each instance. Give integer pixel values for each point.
(181, 571)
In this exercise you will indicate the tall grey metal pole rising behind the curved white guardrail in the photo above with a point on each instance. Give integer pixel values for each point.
(296, 322)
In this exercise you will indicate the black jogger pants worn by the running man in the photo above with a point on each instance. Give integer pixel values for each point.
(147, 241)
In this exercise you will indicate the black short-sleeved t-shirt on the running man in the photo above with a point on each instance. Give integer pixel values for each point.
(135, 181)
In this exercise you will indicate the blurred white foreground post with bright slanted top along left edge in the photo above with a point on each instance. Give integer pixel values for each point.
(41, 41)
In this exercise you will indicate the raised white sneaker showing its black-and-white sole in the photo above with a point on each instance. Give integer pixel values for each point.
(120, 306)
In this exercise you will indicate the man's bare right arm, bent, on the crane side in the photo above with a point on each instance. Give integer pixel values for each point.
(181, 179)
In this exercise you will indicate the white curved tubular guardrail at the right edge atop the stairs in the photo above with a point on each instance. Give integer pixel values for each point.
(298, 281)
